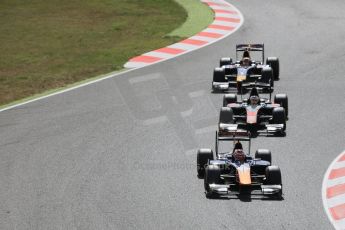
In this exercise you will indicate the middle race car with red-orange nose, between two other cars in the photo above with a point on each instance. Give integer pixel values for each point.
(254, 114)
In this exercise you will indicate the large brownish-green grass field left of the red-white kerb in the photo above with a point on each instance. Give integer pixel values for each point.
(48, 45)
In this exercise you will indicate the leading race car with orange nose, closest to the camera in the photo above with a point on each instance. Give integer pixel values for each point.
(233, 172)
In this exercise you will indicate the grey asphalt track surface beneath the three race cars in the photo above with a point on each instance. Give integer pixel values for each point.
(120, 154)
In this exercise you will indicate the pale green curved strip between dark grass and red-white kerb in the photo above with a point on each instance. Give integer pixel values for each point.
(199, 17)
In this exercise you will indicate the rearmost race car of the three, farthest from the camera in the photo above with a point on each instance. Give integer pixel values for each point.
(247, 71)
